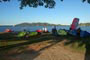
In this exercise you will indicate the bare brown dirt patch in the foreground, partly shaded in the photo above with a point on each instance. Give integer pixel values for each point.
(43, 51)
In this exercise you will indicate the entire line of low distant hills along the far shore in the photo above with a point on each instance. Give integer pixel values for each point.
(42, 24)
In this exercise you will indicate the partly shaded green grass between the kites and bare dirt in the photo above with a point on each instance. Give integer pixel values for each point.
(74, 43)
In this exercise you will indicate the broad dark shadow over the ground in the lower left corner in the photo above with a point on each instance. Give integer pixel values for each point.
(22, 53)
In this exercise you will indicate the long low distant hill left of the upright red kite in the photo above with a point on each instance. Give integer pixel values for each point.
(37, 24)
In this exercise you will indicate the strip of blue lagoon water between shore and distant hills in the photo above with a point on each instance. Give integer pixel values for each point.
(34, 28)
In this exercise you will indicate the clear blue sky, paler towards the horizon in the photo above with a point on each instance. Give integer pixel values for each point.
(63, 13)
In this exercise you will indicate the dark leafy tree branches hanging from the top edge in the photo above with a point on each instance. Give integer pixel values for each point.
(36, 3)
